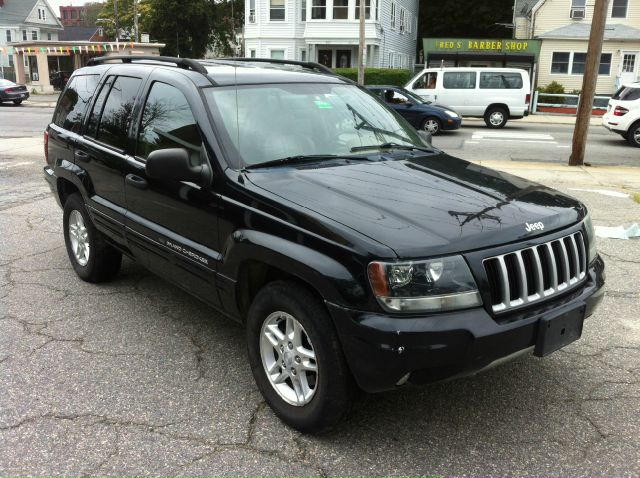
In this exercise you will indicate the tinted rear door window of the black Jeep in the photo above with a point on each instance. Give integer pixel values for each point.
(117, 112)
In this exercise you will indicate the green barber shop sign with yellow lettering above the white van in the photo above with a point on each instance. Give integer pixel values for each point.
(482, 52)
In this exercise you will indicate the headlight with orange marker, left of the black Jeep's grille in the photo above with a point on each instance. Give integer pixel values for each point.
(433, 285)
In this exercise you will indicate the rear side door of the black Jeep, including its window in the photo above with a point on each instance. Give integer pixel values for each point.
(104, 148)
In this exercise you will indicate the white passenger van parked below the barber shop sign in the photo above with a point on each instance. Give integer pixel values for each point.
(495, 94)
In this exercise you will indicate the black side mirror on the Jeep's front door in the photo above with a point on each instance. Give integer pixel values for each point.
(173, 164)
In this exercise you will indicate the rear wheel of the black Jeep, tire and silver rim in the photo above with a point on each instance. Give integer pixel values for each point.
(97, 261)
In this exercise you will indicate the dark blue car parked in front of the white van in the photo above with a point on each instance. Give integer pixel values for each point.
(420, 113)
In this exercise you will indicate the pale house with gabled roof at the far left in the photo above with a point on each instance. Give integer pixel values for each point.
(25, 20)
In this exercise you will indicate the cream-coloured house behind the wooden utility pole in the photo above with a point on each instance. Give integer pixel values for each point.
(563, 26)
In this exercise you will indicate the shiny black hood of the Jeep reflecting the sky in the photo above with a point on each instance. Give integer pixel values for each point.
(424, 206)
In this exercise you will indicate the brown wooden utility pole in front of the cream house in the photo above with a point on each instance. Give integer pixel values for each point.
(583, 118)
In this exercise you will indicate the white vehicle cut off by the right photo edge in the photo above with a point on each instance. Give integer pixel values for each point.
(623, 113)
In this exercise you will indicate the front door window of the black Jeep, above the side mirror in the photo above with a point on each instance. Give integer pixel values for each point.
(167, 122)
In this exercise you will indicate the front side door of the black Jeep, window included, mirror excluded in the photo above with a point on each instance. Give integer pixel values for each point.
(172, 225)
